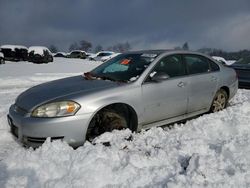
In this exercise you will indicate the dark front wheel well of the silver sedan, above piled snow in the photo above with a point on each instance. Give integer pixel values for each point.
(106, 121)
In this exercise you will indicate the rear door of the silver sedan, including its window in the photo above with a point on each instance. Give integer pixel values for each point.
(203, 81)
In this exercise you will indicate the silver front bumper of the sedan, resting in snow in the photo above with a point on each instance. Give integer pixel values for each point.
(33, 131)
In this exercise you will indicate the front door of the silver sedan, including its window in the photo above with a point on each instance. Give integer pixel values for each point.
(168, 98)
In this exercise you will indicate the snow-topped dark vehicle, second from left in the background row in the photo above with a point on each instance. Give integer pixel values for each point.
(39, 54)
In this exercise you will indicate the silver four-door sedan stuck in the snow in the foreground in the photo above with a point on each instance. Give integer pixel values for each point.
(135, 90)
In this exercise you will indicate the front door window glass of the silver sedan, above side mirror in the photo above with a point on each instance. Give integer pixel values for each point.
(171, 65)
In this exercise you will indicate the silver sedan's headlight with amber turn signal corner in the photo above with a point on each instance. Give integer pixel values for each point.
(56, 109)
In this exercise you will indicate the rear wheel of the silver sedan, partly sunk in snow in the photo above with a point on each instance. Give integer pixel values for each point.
(220, 101)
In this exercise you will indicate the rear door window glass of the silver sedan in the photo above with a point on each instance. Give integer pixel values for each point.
(196, 64)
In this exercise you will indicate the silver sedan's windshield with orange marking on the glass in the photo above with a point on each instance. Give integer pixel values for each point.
(124, 67)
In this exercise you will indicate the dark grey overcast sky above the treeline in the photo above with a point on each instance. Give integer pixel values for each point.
(145, 24)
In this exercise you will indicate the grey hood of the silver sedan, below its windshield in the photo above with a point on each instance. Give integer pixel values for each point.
(53, 90)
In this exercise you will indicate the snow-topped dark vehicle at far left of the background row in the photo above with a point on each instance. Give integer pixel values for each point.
(15, 52)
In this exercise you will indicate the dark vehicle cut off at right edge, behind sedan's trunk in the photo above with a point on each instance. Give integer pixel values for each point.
(242, 67)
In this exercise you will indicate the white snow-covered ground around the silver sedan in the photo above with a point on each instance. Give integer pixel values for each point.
(212, 150)
